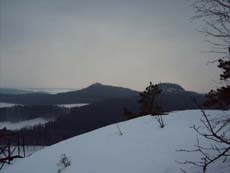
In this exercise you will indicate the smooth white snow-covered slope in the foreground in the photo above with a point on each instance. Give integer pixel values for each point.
(143, 147)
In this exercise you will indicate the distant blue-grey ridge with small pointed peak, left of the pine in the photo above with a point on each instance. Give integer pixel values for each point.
(94, 93)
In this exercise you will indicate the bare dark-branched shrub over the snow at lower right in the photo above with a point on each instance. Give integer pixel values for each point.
(215, 130)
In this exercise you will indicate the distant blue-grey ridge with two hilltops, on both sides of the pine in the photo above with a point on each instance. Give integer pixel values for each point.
(173, 96)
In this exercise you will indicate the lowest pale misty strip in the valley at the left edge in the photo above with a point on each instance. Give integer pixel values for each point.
(23, 124)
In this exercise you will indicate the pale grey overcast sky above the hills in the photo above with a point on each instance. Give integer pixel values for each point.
(73, 43)
